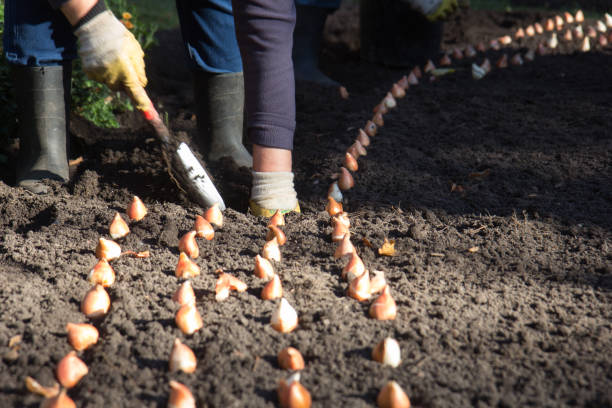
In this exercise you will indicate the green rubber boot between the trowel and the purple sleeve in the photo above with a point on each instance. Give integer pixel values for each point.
(220, 113)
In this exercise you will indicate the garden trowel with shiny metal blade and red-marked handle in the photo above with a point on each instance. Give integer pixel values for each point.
(184, 168)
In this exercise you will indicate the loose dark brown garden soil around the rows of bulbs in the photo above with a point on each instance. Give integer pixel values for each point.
(524, 321)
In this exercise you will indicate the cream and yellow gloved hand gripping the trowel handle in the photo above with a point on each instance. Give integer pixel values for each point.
(110, 54)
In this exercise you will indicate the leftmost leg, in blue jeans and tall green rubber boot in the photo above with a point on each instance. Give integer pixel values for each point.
(39, 44)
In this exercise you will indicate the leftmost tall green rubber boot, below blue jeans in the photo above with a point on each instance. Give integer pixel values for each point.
(43, 100)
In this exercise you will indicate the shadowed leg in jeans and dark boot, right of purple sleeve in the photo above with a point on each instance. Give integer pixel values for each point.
(311, 17)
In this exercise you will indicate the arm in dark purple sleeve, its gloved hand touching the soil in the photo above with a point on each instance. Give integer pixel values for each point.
(264, 29)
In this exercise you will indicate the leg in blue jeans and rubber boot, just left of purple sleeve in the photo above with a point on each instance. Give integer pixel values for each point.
(210, 41)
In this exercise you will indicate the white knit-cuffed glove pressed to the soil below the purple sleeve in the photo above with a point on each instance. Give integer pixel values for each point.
(273, 191)
